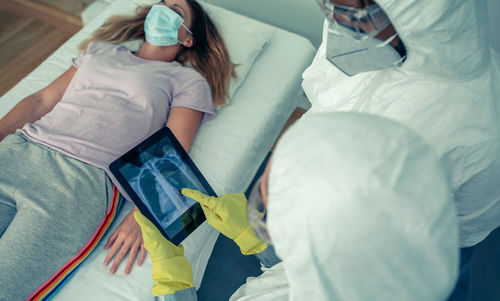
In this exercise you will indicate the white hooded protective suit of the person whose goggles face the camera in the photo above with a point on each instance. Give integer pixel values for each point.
(447, 91)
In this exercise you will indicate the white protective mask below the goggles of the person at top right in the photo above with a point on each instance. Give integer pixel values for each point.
(353, 55)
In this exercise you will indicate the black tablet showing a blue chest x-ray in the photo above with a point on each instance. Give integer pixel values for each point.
(153, 174)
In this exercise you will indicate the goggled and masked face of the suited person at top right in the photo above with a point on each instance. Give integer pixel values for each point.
(351, 44)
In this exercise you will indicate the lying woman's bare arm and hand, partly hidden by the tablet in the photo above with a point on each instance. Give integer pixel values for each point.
(127, 238)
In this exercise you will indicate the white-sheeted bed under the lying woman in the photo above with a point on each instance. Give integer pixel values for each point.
(227, 149)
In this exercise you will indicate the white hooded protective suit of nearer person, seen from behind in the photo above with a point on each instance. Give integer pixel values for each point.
(358, 209)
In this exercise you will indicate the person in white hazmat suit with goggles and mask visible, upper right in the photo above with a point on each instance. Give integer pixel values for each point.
(429, 65)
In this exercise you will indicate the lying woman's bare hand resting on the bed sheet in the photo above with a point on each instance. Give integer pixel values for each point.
(126, 239)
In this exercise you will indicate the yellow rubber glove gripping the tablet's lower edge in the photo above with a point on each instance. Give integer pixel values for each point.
(171, 270)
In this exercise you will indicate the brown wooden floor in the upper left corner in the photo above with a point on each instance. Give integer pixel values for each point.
(30, 30)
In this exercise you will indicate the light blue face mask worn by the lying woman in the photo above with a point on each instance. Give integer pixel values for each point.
(162, 26)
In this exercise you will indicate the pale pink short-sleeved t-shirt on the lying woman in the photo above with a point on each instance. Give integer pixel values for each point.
(116, 100)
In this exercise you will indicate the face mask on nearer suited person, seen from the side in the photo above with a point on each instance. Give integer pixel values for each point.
(257, 213)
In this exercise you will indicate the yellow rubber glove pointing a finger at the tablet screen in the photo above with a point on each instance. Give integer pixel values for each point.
(228, 215)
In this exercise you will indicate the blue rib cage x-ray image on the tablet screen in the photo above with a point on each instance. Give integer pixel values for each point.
(160, 181)
